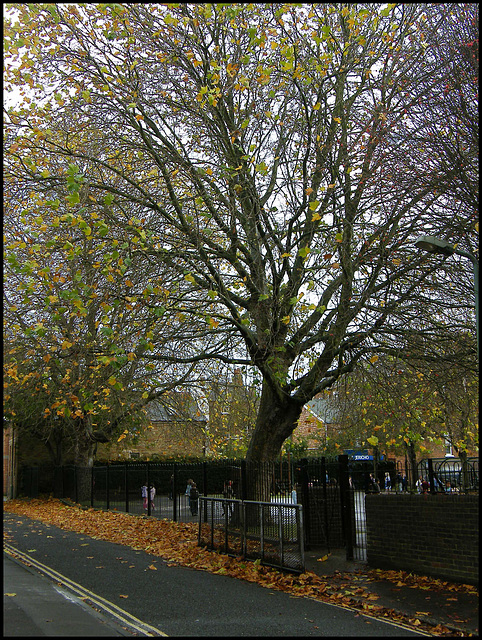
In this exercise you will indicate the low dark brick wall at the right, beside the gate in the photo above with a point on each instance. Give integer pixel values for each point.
(435, 535)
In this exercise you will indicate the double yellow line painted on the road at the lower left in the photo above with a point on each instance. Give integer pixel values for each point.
(121, 616)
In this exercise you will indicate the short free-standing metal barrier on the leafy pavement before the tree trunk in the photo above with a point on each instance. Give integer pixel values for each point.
(271, 532)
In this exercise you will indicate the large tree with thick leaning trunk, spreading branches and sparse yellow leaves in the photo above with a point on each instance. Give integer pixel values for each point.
(256, 152)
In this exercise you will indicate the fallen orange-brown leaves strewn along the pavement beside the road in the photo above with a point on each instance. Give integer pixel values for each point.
(177, 544)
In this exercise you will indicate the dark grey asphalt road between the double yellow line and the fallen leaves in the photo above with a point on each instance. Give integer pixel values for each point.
(175, 600)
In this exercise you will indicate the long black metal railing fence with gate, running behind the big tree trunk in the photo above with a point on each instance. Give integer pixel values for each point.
(331, 491)
